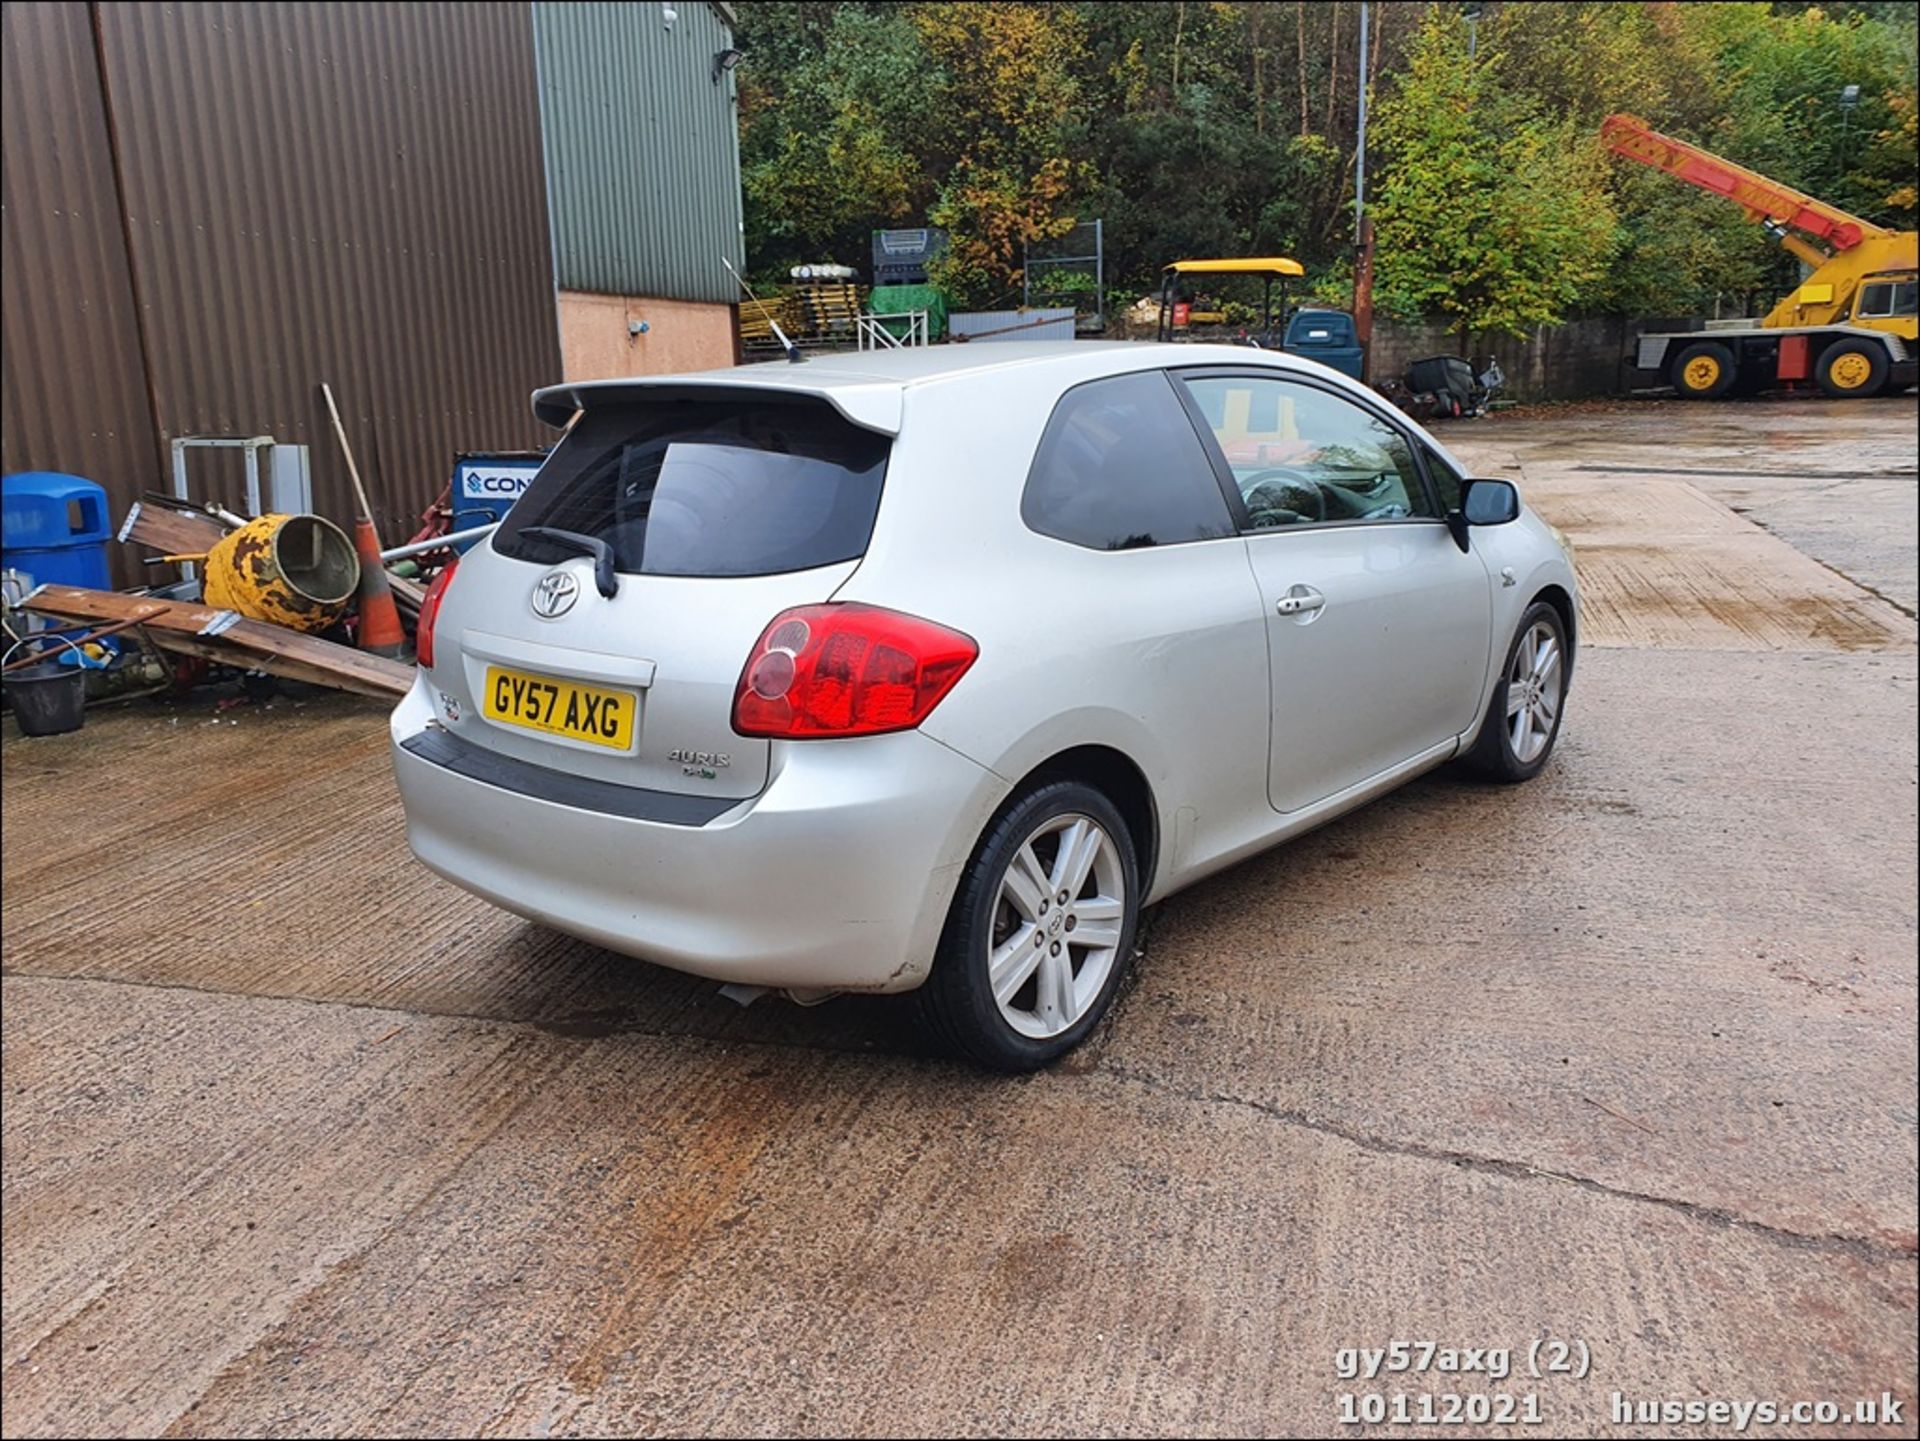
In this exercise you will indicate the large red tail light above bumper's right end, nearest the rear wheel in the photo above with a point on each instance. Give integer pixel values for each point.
(848, 671)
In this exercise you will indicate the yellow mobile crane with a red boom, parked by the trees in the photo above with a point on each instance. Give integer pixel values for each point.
(1852, 325)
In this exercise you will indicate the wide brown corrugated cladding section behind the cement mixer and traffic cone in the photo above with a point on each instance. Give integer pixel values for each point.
(339, 193)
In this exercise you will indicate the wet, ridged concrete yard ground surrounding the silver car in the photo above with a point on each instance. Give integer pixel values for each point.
(302, 1141)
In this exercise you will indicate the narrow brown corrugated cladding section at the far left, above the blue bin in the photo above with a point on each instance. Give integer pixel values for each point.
(74, 389)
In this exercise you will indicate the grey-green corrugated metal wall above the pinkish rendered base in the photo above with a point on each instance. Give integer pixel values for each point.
(642, 149)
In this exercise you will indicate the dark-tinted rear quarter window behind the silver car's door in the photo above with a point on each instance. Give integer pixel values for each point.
(1120, 467)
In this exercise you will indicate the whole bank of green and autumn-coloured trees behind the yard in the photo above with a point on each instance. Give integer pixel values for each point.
(1228, 126)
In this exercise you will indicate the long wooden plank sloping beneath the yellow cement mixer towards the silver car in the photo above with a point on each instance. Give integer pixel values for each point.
(235, 642)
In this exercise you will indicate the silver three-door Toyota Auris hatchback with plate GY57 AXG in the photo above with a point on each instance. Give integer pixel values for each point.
(928, 671)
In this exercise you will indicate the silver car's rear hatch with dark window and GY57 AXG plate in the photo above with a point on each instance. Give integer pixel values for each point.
(706, 519)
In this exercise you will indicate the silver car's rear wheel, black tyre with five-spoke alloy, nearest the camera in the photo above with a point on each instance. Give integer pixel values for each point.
(1040, 933)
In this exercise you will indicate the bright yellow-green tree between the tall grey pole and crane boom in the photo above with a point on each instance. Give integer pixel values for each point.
(1489, 212)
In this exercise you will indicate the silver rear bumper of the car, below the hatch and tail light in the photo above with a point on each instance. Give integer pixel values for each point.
(838, 876)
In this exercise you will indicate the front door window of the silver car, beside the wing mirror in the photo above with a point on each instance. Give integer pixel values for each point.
(1303, 456)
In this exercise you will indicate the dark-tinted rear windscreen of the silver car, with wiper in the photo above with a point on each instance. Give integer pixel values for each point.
(706, 488)
